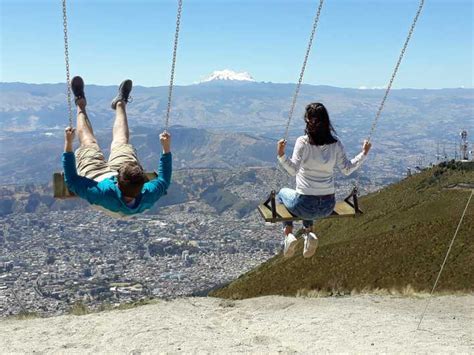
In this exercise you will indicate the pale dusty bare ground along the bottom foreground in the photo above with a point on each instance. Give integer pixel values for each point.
(269, 324)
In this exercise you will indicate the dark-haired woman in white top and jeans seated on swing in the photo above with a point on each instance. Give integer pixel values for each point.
(314, 158)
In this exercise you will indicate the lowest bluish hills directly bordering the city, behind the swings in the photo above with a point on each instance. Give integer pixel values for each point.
(236, 191)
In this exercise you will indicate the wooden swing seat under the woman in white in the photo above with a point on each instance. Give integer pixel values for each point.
(274, 212)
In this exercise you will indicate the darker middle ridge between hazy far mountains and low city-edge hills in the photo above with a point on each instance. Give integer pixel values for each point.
(27, 157)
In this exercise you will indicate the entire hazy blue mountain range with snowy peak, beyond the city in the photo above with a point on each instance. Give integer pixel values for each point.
(231, 123)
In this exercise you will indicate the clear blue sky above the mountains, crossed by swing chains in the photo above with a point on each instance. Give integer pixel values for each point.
(357, 43)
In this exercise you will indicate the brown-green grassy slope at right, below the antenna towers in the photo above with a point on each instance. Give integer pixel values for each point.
(401, 240)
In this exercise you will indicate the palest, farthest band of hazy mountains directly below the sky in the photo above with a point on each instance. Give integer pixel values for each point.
(243, 106)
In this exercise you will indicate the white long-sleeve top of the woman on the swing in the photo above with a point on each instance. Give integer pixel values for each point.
(314, 165)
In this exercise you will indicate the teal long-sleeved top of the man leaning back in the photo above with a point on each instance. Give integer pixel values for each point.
(107, 194)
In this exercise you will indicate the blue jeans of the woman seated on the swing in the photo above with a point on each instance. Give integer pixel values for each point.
(307, 207)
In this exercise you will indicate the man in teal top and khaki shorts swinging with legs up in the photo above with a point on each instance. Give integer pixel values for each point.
(119, 184)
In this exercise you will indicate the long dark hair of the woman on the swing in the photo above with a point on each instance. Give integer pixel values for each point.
(318, 126)
